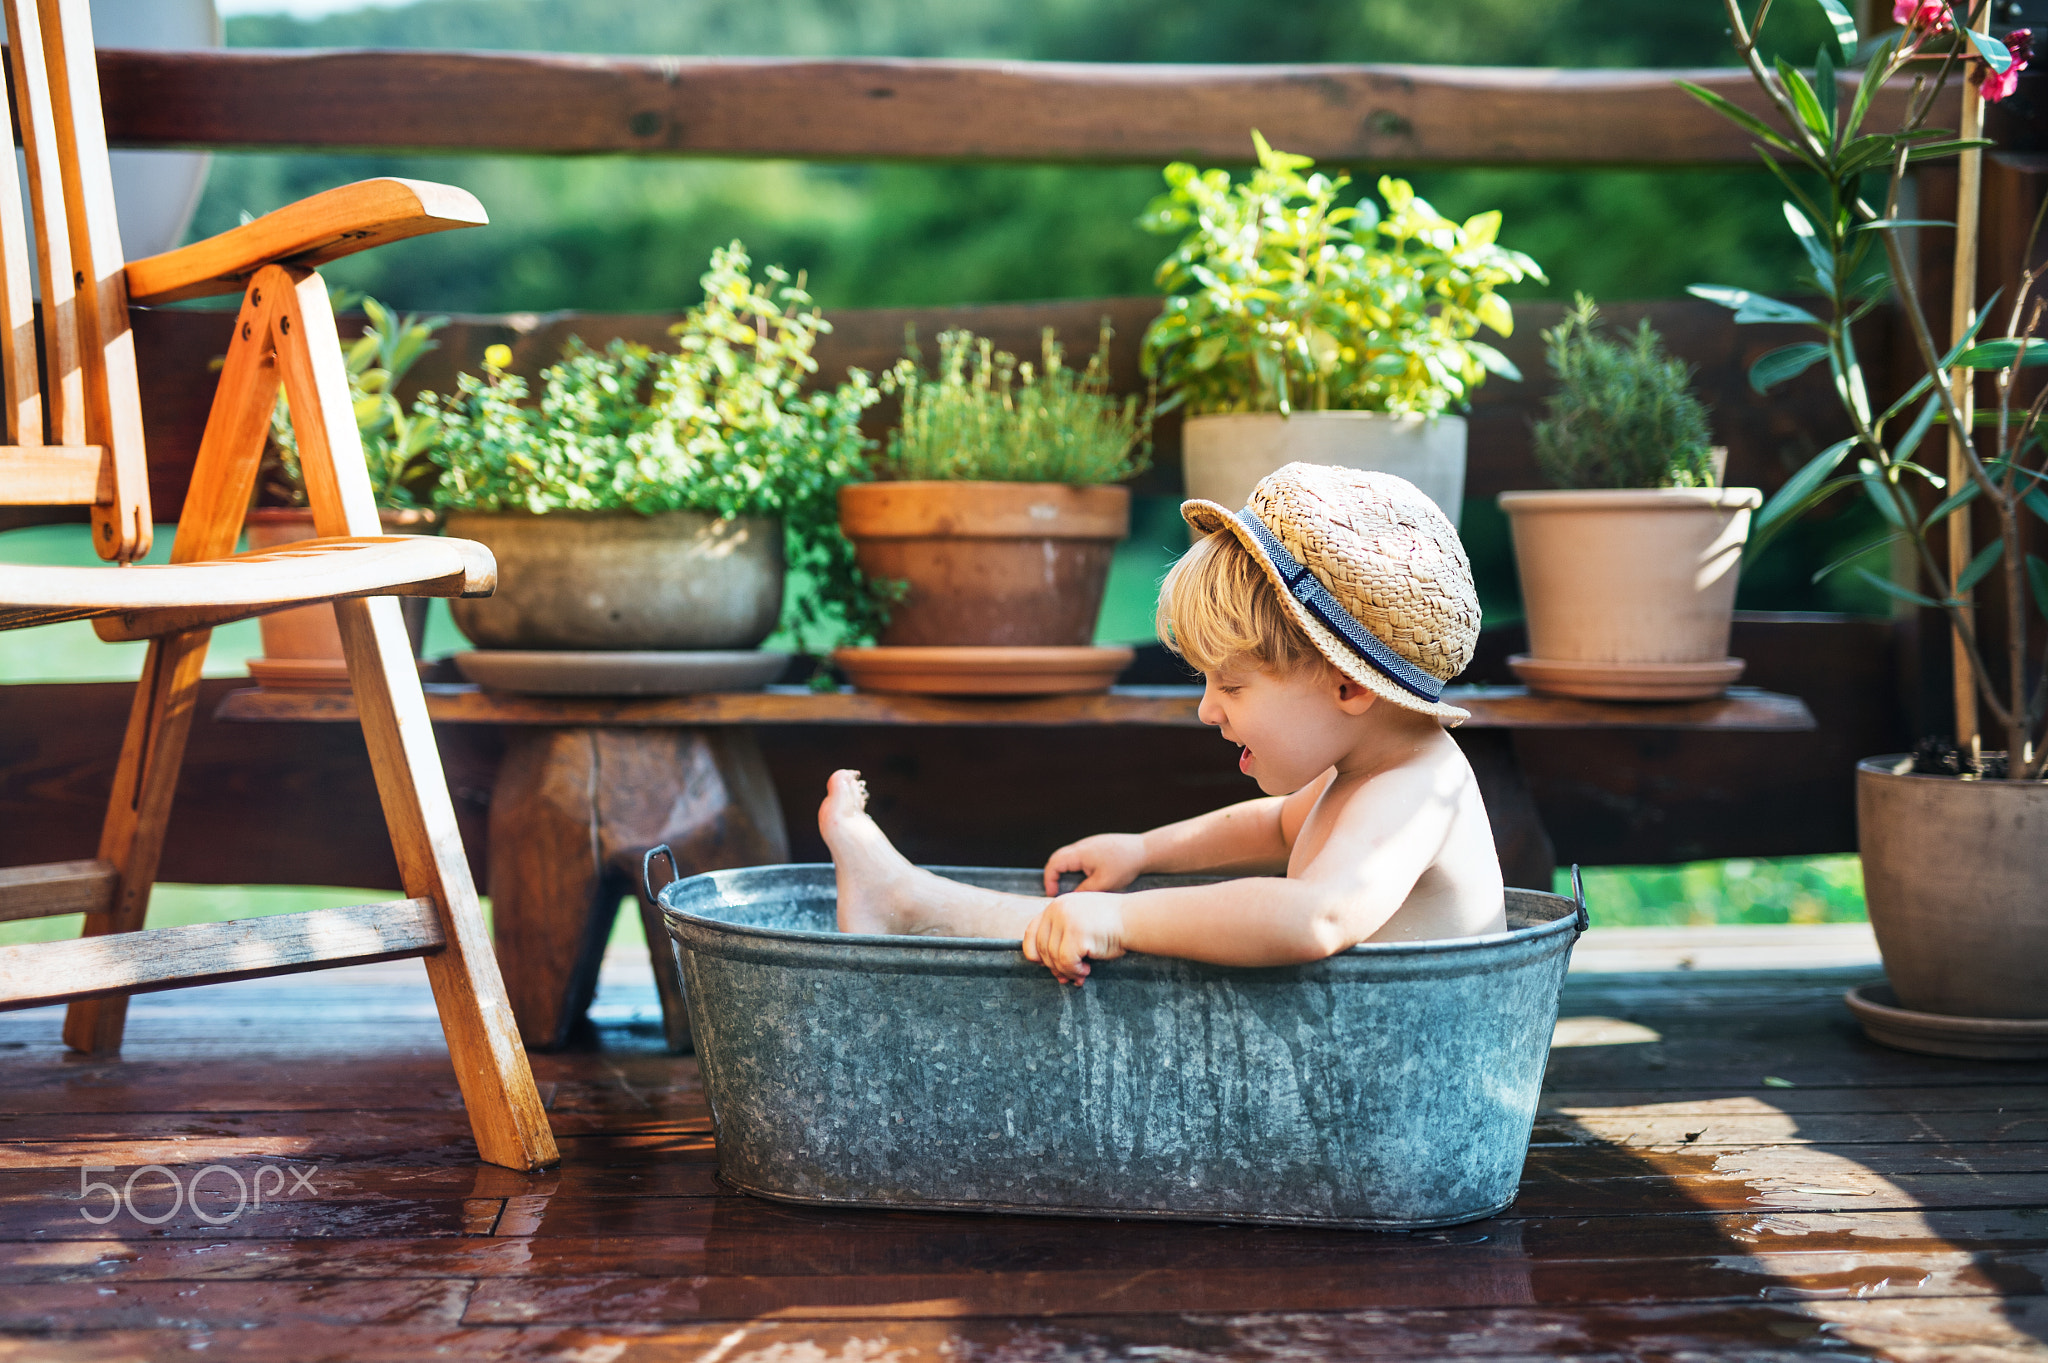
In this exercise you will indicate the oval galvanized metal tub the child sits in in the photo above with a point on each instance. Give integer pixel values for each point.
(1385, 1088)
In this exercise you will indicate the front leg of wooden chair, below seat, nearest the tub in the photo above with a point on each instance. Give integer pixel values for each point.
(490, 1065)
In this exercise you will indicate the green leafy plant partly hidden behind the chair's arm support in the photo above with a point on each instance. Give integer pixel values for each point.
(394, 441)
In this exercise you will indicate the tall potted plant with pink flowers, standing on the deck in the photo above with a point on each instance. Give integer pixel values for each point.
(1951, 840)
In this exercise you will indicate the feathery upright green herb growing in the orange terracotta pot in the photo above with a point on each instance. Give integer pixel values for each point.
(988, 416)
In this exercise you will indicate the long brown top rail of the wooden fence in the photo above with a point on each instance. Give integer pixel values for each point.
(921, 109)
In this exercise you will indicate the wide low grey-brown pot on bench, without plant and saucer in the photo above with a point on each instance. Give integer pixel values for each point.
(622, 580)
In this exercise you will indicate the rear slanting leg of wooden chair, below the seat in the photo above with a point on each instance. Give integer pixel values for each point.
(138, 809)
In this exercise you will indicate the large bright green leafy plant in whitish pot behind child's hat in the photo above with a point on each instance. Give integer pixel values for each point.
(1304, 331)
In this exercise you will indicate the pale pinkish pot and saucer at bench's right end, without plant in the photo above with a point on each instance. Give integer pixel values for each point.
(1631, 592)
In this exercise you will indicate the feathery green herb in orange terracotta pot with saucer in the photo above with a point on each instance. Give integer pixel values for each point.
(998, 517)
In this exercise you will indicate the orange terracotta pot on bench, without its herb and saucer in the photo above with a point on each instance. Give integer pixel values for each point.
(988, 564)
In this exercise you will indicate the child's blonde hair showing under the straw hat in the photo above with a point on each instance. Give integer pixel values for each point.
(1218, 607)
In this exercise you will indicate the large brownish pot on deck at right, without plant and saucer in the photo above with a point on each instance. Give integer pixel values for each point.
(1957, 881)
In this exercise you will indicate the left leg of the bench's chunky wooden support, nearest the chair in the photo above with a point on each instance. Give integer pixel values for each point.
(552, 897)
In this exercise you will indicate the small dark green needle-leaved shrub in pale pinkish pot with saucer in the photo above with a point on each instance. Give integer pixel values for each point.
(1629, 568)
